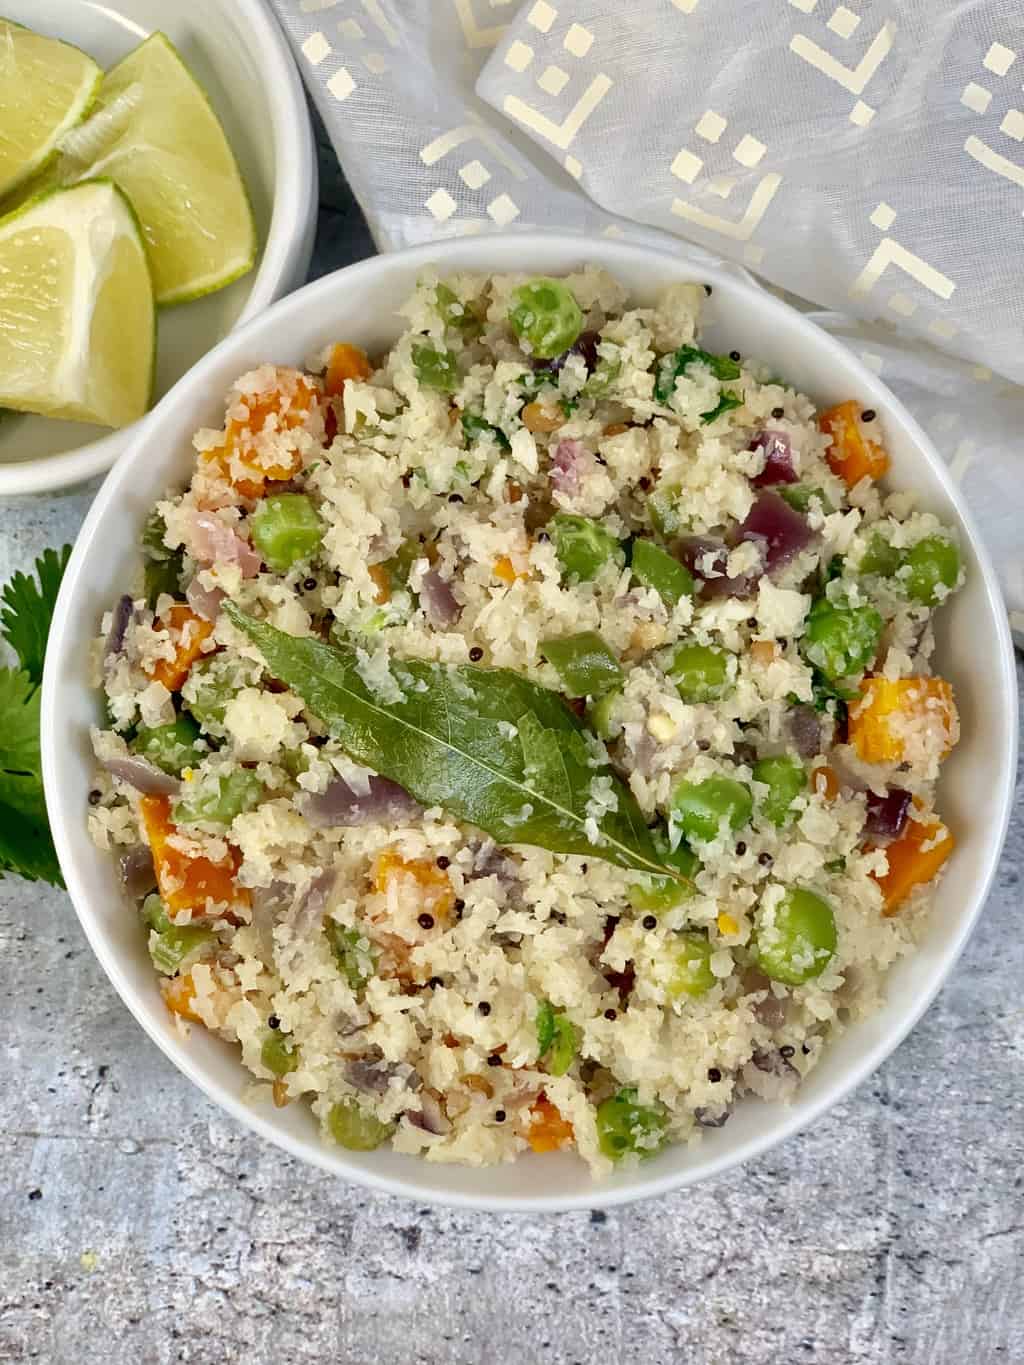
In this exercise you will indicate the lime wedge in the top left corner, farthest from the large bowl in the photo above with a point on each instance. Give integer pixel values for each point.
(46, 88)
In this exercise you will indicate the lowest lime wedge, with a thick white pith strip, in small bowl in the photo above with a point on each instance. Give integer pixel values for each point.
(77, 316)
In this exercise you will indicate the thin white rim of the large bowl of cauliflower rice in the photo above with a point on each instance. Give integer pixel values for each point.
(601, 1196)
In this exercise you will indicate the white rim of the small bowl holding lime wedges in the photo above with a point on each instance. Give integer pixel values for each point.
(286, 253)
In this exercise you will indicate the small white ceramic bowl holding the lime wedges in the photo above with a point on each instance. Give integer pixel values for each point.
(241, 58)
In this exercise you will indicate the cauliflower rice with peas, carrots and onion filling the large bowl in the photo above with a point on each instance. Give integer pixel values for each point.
(528, 739)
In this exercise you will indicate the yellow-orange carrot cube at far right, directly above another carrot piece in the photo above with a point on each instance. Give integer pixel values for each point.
(892, 715)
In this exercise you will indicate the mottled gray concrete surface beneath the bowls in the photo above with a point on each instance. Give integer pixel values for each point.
(141, 1228)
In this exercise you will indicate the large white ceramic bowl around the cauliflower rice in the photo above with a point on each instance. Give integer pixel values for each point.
(360, 304)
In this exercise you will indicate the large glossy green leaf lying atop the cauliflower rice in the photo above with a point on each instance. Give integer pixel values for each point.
(487, 745)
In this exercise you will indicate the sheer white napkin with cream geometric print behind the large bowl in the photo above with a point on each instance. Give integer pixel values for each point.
(869, 158)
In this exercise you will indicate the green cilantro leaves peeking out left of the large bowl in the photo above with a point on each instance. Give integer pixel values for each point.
(27, 847)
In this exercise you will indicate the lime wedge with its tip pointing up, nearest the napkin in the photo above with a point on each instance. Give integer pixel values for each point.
(155, 134)
